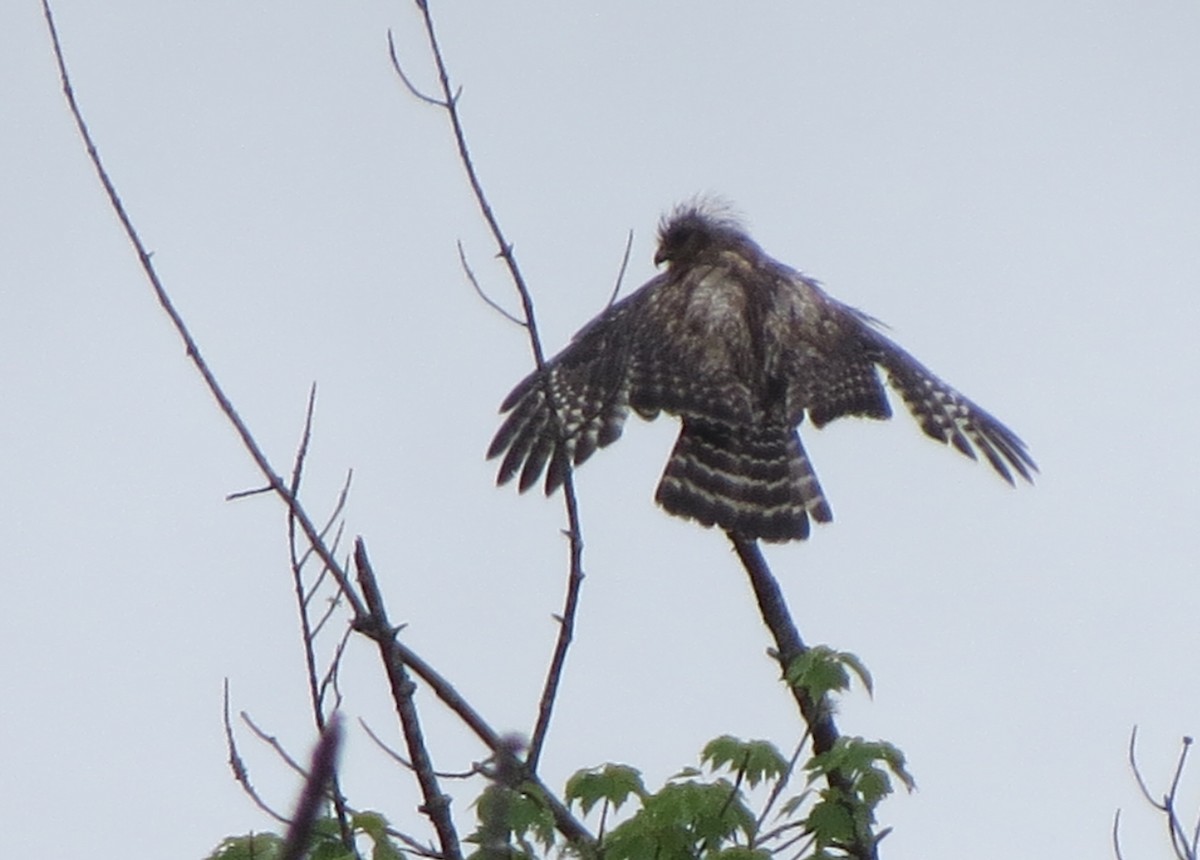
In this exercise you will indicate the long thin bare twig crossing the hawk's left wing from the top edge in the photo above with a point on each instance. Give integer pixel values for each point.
(449, 103)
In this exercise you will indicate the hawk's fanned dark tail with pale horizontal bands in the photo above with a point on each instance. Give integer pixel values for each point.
(757, 482)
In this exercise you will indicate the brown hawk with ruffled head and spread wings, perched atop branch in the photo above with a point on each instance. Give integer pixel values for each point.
(741, 348)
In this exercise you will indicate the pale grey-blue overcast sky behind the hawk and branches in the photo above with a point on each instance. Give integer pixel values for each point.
(1013, 188)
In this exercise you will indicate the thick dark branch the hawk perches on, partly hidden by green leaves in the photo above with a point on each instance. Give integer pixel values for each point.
(790, 646)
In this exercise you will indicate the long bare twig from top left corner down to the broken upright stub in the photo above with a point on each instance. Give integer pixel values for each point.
(194, 353)
